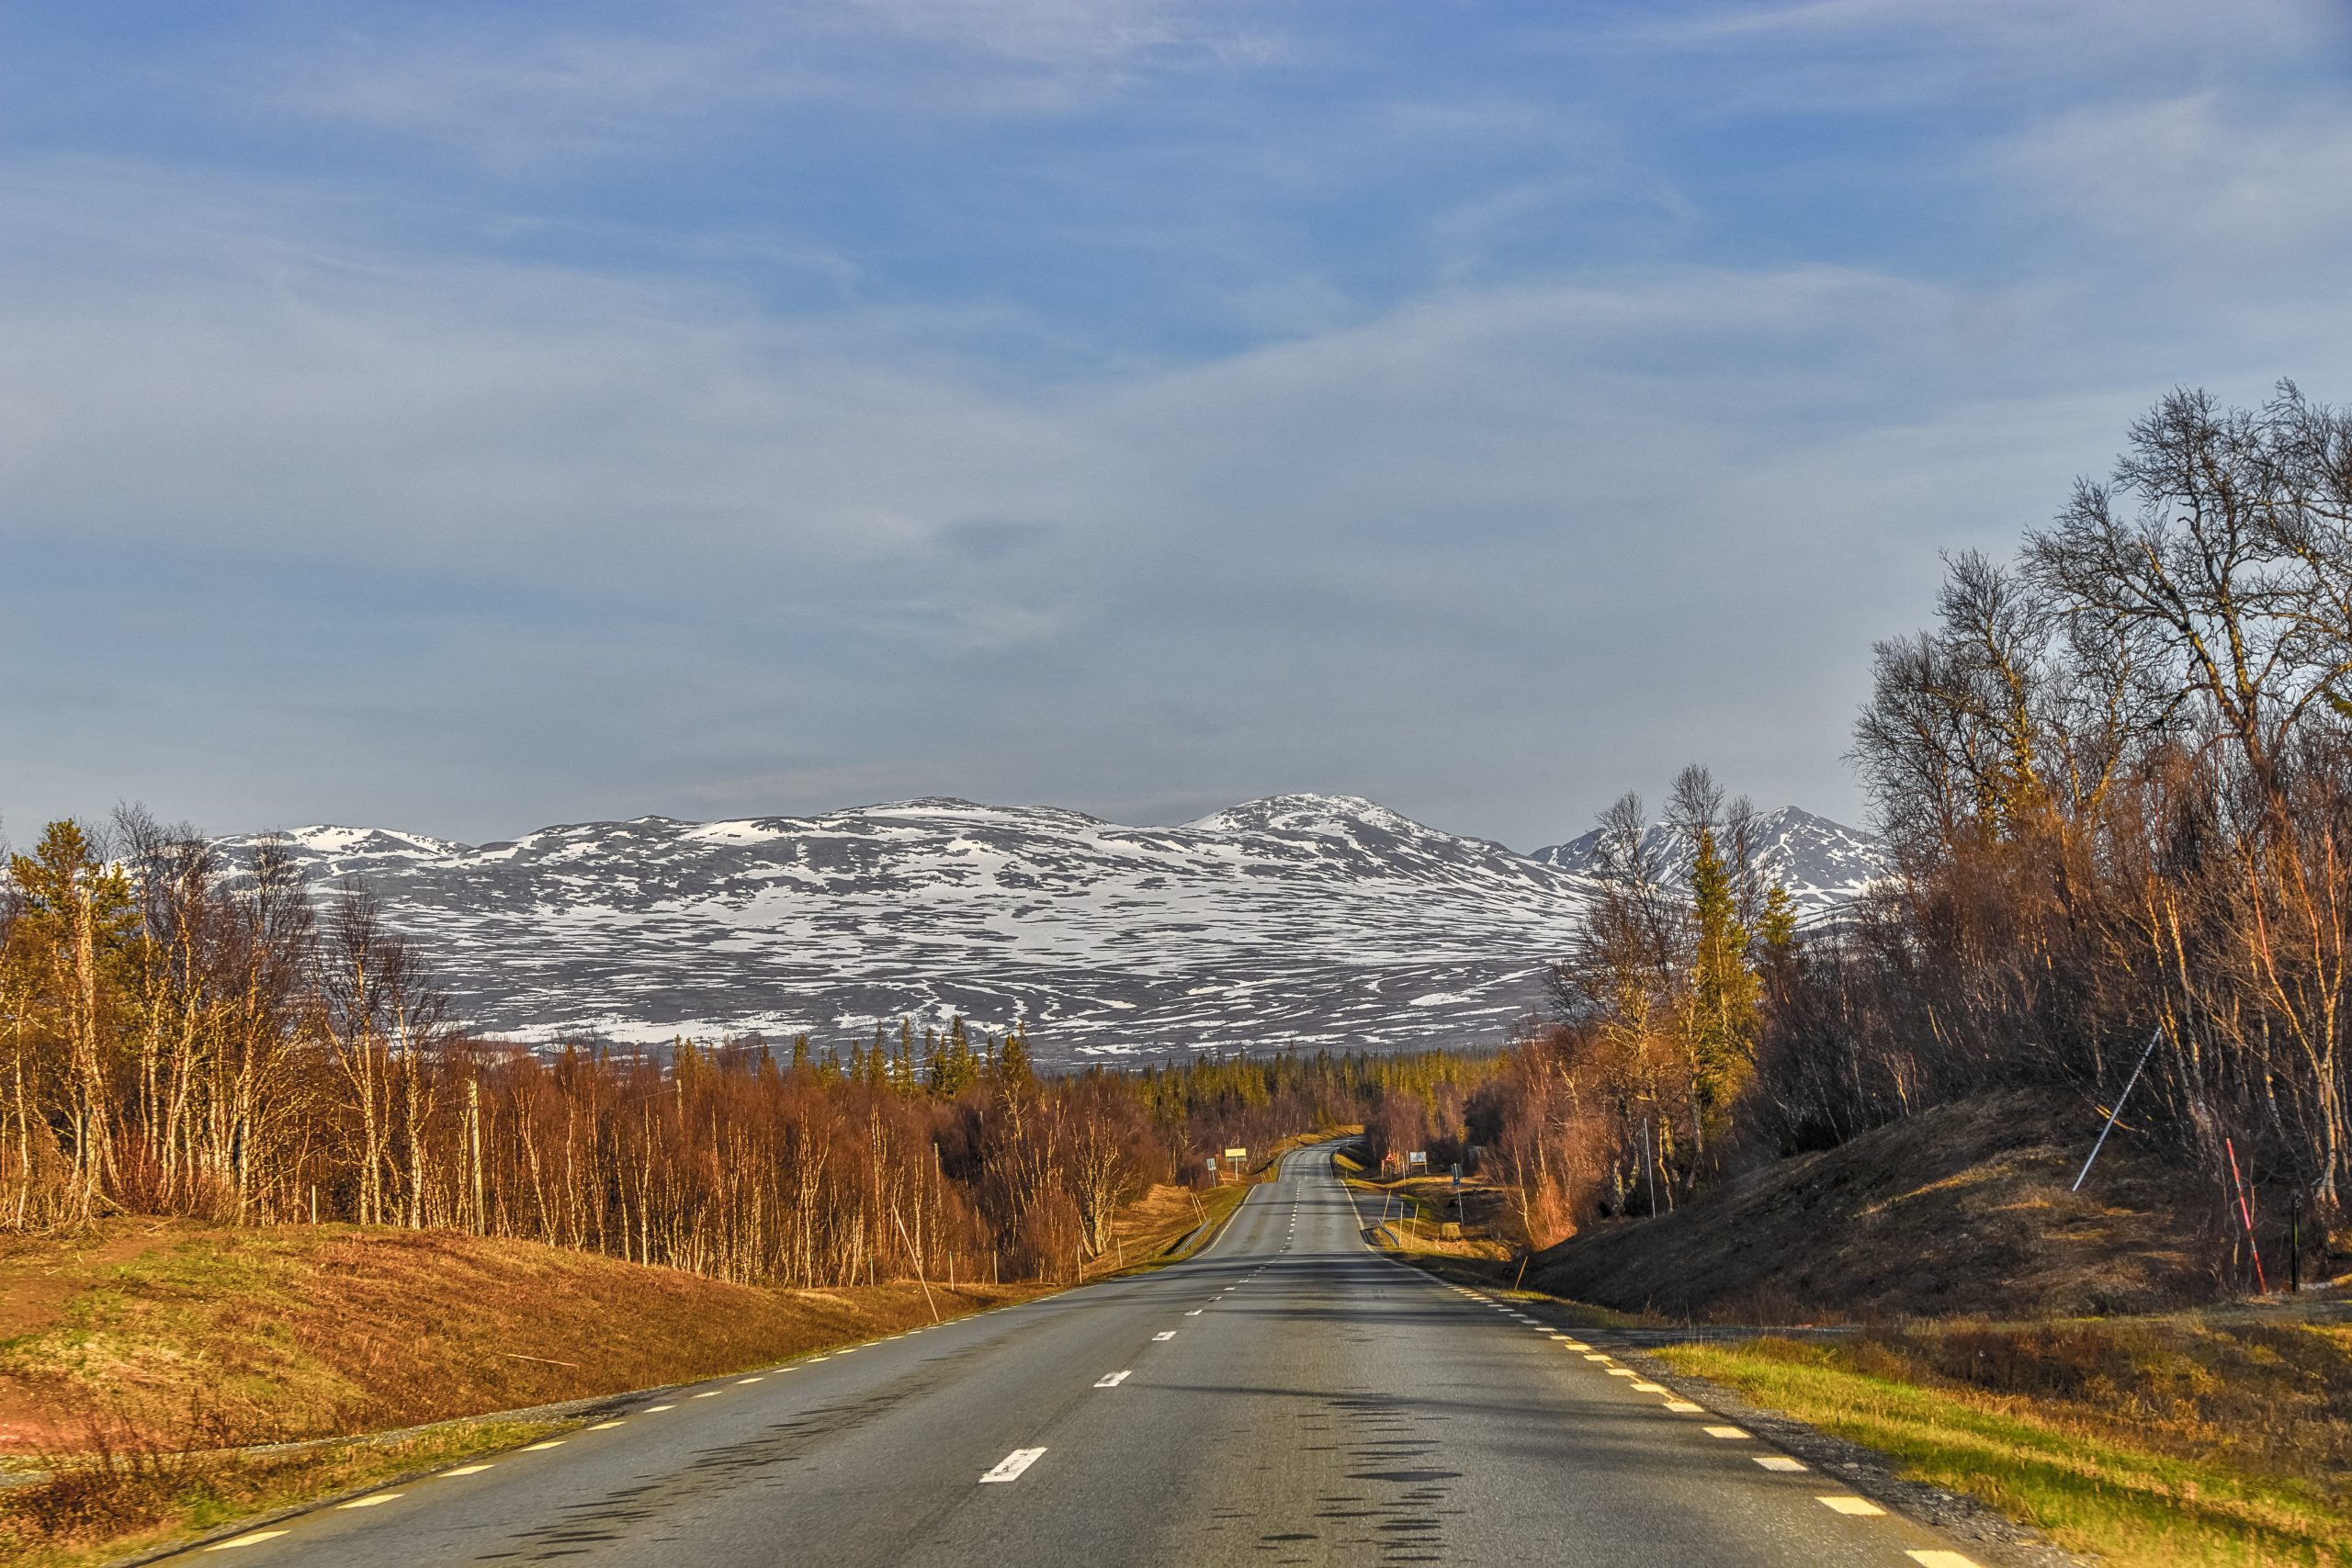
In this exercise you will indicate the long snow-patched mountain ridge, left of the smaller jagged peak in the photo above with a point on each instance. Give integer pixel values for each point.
(1307, 920)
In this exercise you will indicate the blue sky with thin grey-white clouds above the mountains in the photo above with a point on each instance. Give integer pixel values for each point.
(472, 417)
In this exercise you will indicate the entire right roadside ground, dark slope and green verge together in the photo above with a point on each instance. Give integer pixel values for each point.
(2104, 1416)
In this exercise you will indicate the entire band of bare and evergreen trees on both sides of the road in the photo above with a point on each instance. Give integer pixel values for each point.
(2116, 782)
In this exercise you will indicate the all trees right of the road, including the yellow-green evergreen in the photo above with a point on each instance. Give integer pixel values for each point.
(2116, 779)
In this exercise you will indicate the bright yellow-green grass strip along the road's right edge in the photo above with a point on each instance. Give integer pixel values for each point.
(2047, 1463)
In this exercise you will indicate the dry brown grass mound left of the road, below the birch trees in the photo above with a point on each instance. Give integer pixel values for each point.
(302, 1334)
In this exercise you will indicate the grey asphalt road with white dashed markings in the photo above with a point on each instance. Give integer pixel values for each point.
(1290, 1398)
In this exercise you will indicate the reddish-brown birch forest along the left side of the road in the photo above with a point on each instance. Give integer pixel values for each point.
(185, 1038)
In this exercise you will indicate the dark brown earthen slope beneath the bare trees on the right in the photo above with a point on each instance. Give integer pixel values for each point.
(1956, 1212)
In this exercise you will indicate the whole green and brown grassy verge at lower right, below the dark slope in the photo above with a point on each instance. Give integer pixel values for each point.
(2153, 1442)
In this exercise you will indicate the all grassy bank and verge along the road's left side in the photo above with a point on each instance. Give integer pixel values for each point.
(142, 1362)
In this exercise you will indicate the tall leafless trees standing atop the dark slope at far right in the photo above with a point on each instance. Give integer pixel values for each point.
(2118, 779)
